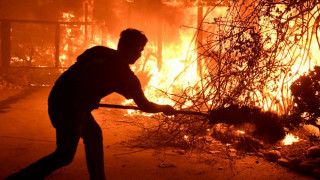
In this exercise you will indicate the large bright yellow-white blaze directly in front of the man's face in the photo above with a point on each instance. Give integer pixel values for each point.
(177, 72)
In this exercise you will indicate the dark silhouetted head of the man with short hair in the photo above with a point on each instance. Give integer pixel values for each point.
(131, 44)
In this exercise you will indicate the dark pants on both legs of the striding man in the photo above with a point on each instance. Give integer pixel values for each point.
(70, 126)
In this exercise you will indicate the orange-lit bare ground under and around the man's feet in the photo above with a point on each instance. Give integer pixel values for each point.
(26, 135)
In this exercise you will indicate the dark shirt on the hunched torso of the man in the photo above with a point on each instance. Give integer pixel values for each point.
(99, 71)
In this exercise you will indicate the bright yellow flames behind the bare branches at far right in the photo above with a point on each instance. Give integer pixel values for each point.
(306, 59)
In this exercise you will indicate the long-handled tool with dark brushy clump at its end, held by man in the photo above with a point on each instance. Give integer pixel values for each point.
(268, 127)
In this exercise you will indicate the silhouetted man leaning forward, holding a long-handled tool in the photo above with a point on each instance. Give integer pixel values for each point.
(99, 71)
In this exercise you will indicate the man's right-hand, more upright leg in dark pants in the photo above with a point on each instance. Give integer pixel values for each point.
(92, 138)
